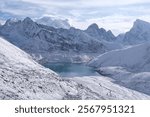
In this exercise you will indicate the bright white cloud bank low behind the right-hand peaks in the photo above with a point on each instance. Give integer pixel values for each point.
(116, 23)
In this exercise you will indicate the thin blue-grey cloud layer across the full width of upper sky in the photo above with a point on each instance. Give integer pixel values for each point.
(81, 9)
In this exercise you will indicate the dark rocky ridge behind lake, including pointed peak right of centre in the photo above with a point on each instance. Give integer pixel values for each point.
(43, 40)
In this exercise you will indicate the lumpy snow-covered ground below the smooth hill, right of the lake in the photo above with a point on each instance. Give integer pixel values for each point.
(135, 81)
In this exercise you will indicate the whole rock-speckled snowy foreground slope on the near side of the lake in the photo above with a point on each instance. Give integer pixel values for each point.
(23, 78)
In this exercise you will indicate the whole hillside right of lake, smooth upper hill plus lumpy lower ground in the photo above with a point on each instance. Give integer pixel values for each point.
(128, 67)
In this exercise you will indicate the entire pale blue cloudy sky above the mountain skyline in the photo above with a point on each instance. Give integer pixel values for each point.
(115, 15)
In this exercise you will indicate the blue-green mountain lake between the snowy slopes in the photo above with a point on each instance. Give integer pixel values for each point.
(71, 69)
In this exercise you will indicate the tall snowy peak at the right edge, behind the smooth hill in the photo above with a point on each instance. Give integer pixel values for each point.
(139, 33)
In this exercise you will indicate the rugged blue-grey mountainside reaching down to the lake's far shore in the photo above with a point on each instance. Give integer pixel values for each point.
(50, 44)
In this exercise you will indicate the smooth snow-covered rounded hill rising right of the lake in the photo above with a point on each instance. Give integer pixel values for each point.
(135, 59)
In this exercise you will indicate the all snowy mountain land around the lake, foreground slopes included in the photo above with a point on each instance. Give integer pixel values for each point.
(123, 62)
